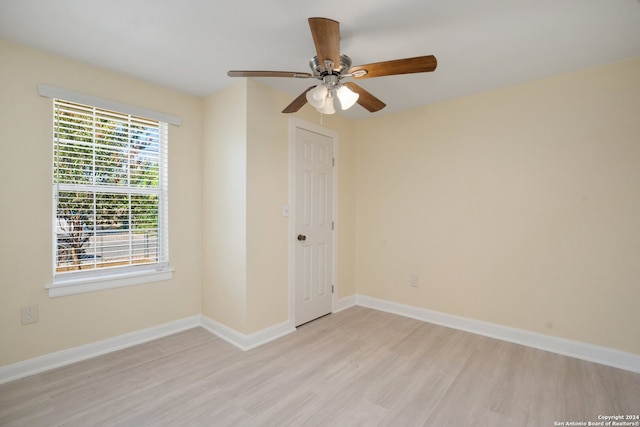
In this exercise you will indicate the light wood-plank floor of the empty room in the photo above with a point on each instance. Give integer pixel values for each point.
(359, 367)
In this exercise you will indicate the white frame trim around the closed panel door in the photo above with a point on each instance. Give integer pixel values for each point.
(295, 123)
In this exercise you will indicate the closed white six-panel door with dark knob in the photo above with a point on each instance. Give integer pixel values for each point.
(313, 225)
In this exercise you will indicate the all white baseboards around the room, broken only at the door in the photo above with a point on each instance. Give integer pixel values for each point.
(579, 350)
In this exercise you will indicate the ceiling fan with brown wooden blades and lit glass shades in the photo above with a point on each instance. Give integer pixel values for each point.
(331, 67)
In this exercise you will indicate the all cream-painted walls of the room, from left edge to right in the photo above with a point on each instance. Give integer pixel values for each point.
(518, 207)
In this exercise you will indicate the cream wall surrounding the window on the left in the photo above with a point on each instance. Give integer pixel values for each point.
(25, 218)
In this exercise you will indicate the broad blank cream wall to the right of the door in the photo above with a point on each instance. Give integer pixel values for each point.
(519, 206)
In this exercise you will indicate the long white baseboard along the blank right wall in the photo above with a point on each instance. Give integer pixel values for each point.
(579, 350)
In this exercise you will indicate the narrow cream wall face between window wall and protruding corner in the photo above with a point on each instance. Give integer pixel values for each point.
(224, 195)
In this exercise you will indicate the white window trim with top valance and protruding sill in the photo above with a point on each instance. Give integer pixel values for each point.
(69, 283)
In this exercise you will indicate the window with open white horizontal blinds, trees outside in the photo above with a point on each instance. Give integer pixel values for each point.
(110, 198)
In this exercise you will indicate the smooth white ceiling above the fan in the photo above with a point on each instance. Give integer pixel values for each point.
(189, 45)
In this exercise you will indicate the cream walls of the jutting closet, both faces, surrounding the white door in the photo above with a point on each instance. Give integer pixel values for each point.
(246, 148)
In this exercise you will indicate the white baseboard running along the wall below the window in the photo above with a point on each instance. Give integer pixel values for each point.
(77, 354)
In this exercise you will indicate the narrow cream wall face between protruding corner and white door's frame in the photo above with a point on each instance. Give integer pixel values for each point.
(267, 193)
